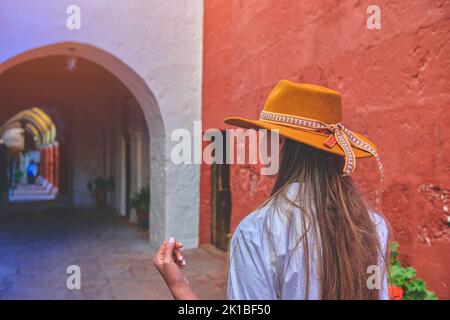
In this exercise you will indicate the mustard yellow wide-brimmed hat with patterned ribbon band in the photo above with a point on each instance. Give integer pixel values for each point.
(312, 115)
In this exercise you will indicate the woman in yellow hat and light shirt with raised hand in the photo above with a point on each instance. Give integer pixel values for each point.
(314, 237)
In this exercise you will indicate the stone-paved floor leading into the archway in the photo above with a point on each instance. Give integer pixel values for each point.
(38, 243)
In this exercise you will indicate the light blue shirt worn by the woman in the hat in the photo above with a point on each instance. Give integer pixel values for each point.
(266, 260)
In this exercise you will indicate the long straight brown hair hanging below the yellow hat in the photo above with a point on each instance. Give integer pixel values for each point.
(332, 208)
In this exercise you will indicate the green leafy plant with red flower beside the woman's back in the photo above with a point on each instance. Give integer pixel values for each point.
(403, 283)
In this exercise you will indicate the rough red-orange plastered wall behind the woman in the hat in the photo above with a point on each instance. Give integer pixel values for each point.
(395, 86)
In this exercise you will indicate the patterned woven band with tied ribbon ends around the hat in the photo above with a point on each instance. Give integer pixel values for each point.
(339, 134)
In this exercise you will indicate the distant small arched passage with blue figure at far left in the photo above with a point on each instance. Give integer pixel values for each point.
(31, 156)
